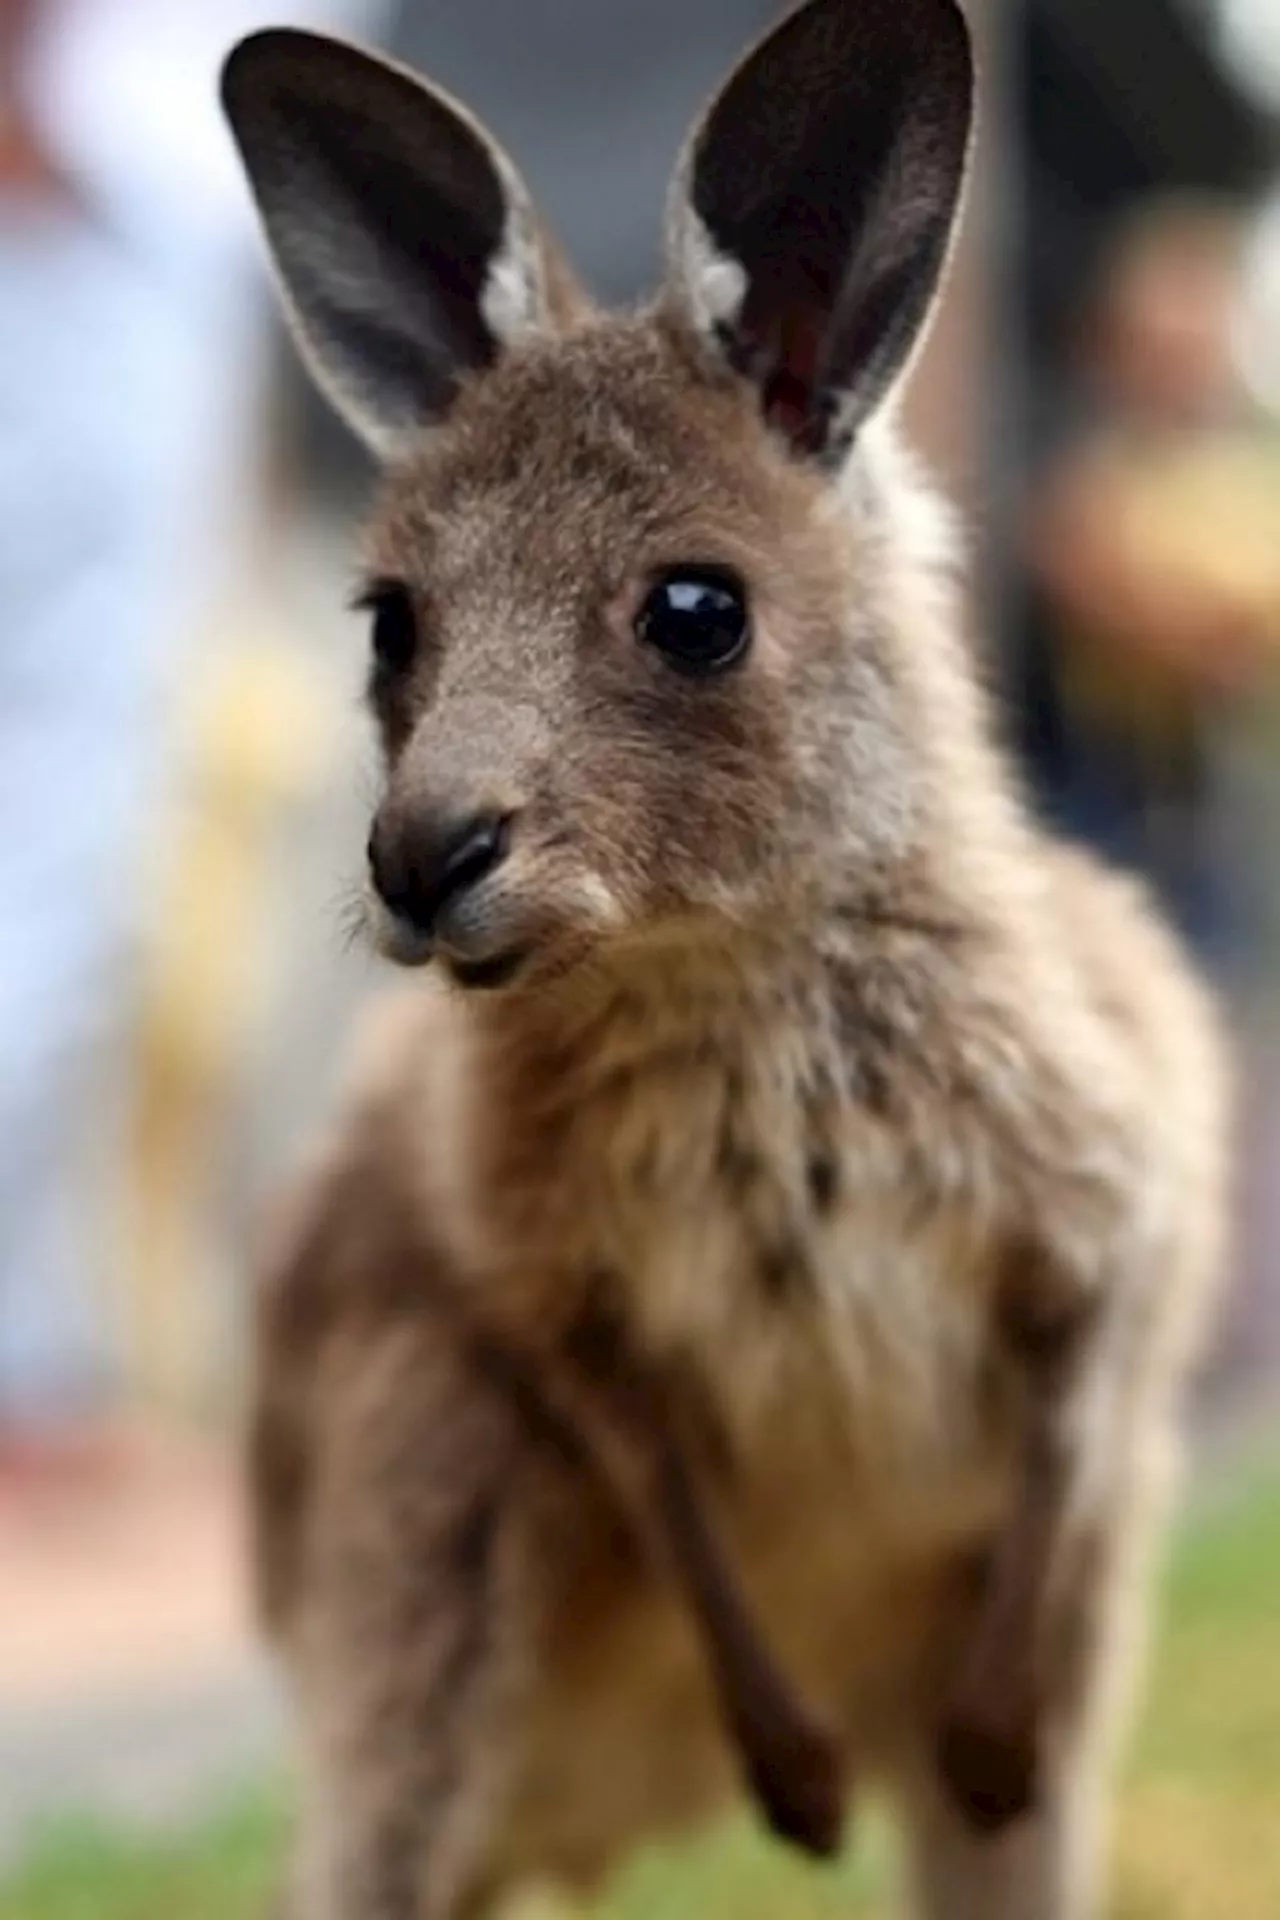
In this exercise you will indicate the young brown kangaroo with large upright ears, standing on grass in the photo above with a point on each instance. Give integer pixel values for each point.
(738, 1322)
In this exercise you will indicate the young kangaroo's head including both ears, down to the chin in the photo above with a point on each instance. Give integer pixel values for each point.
(634, 642)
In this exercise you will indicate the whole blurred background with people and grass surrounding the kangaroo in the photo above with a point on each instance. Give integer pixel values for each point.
(185, 779)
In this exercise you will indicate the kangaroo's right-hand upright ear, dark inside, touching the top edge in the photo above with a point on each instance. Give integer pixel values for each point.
(813, 210)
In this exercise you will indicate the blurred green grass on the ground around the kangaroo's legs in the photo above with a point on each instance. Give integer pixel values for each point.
(1198, 1835)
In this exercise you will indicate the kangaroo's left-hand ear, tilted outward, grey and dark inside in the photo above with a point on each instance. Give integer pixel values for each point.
(408, 249)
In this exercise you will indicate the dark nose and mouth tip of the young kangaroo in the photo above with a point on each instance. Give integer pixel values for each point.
(427, 869)
